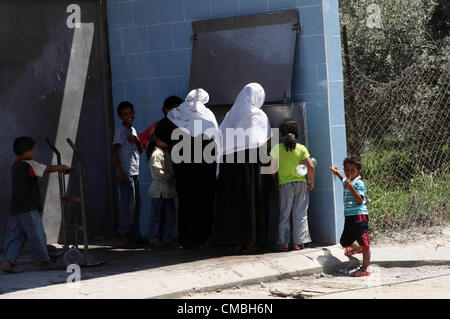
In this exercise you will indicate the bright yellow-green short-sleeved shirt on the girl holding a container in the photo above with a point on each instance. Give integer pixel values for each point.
(288, 161)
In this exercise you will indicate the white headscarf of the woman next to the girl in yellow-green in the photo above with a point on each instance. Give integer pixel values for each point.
(246, 113)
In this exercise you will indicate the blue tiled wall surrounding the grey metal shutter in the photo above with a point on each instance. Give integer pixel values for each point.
(150, 60)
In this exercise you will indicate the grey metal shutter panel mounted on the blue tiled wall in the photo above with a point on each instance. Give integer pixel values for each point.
(231, 52)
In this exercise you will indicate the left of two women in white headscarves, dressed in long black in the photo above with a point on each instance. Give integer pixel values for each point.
(195, 177)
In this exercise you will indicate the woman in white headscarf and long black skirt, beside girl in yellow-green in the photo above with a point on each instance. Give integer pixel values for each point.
(241, 209)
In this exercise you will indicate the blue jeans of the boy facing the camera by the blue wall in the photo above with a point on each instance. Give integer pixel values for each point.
(129, 207)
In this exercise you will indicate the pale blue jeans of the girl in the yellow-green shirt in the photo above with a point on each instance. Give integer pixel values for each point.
(294, 201)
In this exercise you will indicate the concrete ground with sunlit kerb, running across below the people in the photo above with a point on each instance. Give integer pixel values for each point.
(168, 272)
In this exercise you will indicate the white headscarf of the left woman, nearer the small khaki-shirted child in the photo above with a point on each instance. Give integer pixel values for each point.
(194, 109)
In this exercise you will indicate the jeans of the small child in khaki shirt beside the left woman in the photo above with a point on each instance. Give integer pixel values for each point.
(162, 219)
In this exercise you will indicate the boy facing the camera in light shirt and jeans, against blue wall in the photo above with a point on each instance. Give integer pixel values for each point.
(126, 150)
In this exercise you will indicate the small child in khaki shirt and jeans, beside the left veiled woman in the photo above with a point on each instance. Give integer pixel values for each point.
(162, 191)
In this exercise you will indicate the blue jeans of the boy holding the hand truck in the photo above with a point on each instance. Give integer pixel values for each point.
(22, 227)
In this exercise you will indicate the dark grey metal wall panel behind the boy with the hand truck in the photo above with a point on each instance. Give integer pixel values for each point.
(35, 50)
